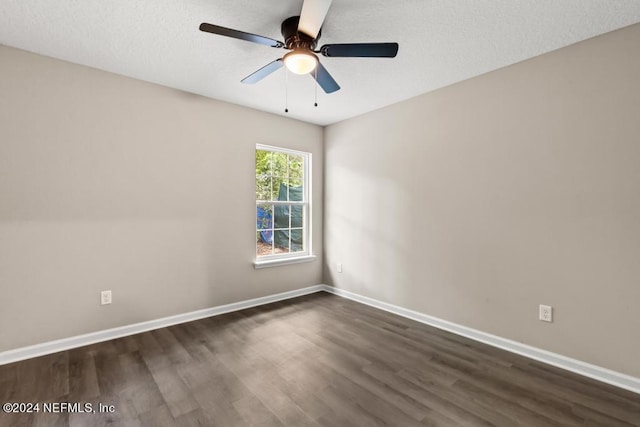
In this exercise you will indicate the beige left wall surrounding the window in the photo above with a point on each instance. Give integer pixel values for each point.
(111, 183)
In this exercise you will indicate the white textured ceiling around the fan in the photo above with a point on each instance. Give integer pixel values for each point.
(441, 42)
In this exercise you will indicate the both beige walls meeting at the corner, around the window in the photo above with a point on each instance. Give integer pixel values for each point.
(474, 203)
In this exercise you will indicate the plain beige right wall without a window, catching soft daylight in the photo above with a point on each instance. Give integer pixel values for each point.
(479, 201)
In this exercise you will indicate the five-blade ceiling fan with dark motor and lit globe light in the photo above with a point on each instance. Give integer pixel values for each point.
(301, 35)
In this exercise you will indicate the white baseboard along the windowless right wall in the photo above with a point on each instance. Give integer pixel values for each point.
(586, 369)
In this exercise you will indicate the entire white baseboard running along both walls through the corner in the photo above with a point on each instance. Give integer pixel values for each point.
(588, 370)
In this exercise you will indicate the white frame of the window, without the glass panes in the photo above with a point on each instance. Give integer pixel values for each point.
(295, 257)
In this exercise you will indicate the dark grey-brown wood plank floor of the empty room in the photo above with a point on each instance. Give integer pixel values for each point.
(314, 360)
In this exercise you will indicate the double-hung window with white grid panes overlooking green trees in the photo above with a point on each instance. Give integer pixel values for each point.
(282, 205)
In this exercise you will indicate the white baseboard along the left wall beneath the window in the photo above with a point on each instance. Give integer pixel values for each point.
(49, 347)
